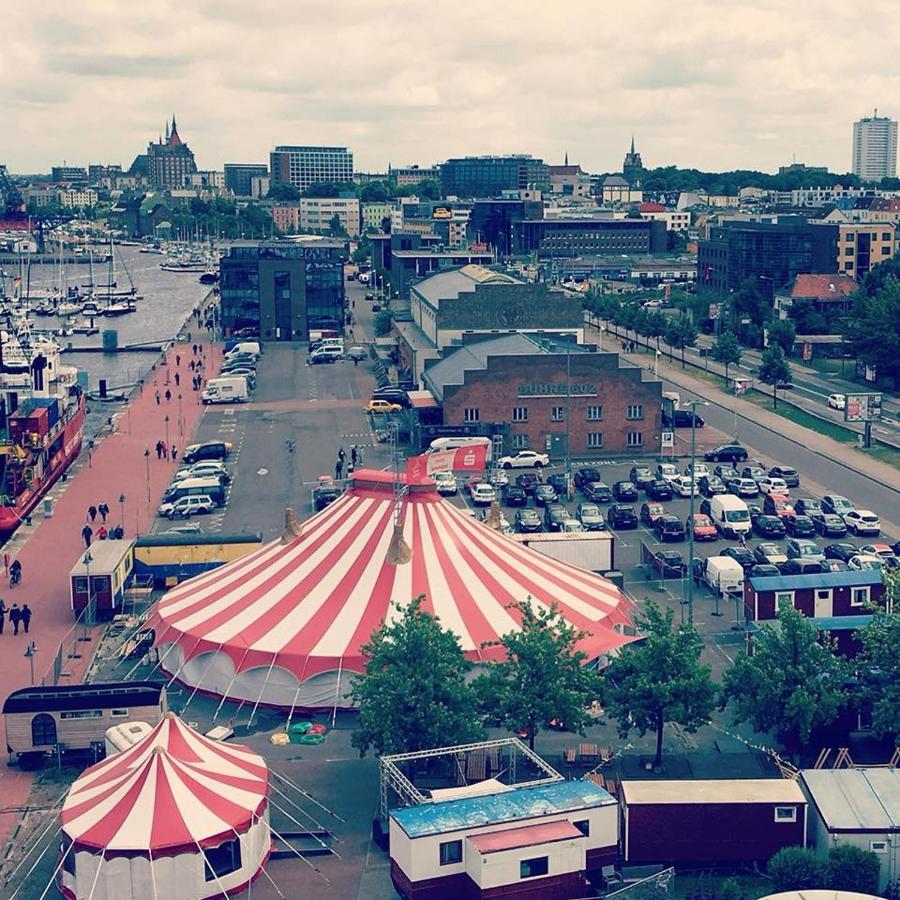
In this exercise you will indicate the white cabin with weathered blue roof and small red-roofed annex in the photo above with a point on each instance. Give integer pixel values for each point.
(497, 844)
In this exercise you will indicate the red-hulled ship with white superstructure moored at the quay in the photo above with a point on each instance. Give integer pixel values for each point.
(43, 427)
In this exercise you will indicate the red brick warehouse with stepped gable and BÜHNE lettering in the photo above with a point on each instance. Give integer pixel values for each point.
(516, 385)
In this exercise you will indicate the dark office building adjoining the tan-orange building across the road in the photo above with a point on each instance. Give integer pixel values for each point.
(773, 253)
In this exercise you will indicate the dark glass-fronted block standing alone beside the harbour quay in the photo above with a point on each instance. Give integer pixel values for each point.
(282, 290)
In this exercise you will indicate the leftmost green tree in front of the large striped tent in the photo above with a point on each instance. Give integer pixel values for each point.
(414, 695)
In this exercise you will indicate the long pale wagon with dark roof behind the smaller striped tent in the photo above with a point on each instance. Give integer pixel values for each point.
(76, 717)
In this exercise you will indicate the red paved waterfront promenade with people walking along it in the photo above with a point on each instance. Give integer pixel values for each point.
(117, 465)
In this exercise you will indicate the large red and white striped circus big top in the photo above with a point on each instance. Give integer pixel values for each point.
(284, 625)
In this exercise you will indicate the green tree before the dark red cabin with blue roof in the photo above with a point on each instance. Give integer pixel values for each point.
(792, 683)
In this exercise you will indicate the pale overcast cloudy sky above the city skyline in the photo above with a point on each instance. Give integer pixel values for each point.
(716, 85)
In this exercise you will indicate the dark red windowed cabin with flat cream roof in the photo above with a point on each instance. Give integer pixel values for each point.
(710, 822)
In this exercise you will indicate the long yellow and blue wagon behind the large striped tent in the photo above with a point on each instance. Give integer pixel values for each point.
(171, 558)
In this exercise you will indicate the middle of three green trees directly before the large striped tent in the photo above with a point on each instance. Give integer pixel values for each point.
(543, 677)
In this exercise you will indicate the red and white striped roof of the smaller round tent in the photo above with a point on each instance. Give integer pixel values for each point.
(172, 792)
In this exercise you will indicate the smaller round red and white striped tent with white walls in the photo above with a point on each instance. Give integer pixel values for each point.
(176, 816)
